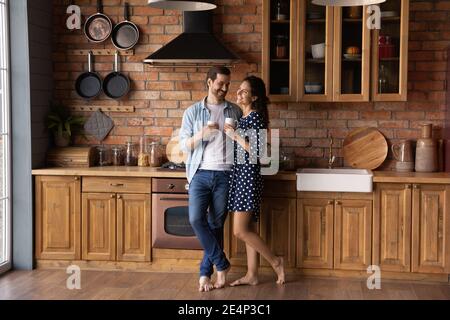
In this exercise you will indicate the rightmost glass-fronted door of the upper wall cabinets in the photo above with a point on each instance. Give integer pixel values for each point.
(390, 53)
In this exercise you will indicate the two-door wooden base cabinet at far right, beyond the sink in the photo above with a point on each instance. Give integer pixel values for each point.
(412, 223)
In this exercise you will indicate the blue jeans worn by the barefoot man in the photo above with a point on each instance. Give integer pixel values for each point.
(209, 189)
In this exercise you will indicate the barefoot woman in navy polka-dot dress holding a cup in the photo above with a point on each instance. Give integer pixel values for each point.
(246, 182)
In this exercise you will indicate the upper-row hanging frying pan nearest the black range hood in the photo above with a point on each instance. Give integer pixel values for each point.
(125, 35)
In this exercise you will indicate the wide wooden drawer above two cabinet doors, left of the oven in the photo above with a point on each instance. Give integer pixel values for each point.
(113, 184)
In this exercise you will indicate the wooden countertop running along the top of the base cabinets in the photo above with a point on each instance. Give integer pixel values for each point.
(111, 171)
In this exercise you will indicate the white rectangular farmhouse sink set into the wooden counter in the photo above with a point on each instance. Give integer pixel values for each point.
(335, 180)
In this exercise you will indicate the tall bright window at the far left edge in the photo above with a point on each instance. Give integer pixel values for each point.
(5, 172)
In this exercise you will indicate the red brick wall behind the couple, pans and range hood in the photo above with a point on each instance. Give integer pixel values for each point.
(160, 95)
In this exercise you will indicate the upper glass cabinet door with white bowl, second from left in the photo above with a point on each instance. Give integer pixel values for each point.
(315, 70)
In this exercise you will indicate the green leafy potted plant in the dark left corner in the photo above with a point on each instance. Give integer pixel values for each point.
(63, 125)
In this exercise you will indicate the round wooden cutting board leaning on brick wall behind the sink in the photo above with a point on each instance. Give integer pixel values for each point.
(365, 148)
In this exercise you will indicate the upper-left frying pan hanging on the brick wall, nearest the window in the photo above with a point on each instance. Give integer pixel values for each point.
(98, 27)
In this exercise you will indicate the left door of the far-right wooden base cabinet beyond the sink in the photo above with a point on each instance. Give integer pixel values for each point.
(392, 227)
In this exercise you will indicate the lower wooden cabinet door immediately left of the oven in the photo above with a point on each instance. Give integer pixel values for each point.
(133, 227)
